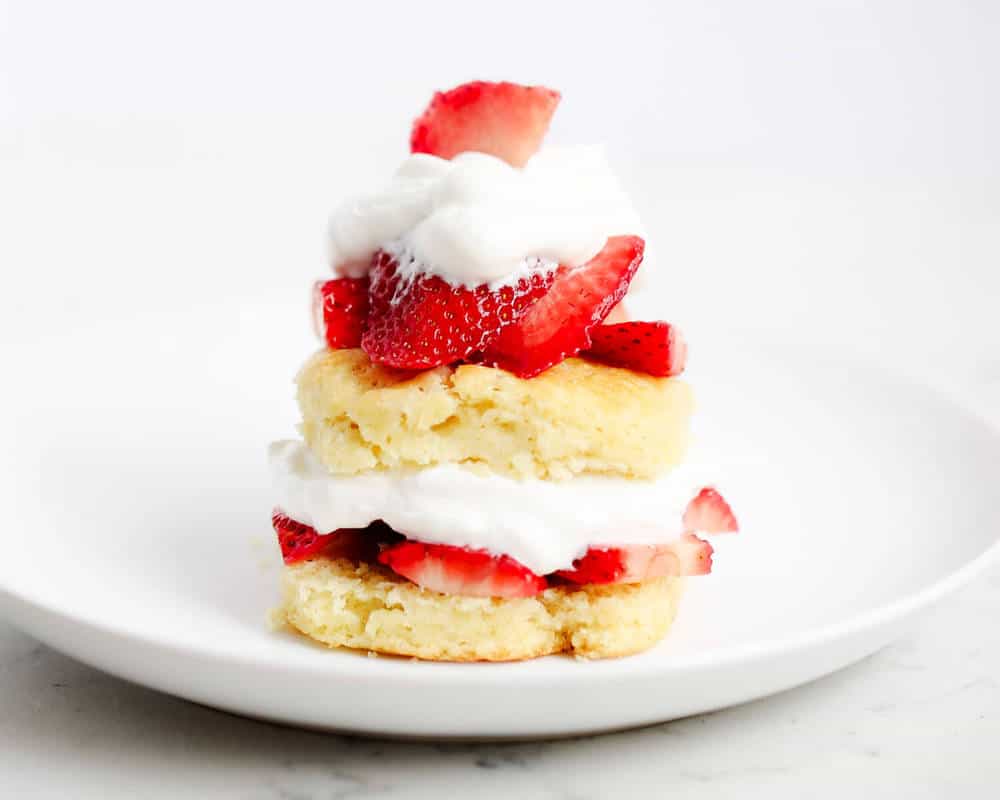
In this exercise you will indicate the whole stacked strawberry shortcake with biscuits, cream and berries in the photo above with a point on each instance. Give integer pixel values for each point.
(490, 467)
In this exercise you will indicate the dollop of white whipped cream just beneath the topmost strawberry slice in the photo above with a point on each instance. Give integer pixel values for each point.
(475, 219)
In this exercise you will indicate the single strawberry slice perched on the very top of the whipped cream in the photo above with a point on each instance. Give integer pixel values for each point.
(506, 120)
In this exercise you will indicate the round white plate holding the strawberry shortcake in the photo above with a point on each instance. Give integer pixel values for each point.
(137, 536)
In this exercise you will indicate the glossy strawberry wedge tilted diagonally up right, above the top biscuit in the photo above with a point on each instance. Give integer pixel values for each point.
(559, 324)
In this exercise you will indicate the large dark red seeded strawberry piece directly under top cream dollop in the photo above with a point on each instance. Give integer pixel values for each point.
(423, 322)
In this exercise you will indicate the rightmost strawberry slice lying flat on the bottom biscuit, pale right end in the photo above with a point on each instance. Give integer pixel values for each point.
(688, 555)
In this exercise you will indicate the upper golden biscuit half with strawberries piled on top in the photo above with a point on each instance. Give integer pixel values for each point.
(578, 417)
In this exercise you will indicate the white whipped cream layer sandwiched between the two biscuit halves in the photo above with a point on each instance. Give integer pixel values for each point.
(543, 524)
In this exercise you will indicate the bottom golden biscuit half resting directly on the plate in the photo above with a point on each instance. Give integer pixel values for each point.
(345, 604)
